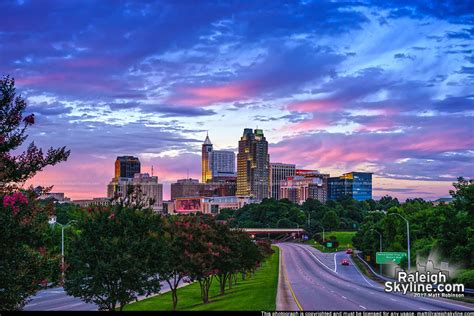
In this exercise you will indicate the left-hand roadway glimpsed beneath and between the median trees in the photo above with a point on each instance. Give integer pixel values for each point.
(56, 299)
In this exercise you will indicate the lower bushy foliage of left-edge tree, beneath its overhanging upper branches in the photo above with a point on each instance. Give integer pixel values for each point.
(23, 255)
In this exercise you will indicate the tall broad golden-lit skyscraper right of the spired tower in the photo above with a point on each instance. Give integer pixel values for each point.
(253, 165)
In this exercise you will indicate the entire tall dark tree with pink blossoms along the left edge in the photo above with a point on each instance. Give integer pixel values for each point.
(23, 223)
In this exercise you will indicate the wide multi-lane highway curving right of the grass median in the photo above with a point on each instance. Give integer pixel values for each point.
(320, 282)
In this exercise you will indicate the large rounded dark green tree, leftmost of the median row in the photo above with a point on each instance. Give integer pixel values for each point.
(115, 257)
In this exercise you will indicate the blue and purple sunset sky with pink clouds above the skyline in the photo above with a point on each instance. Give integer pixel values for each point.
(379, 86)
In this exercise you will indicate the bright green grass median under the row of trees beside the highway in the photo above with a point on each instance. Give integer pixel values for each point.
(255, 293)
